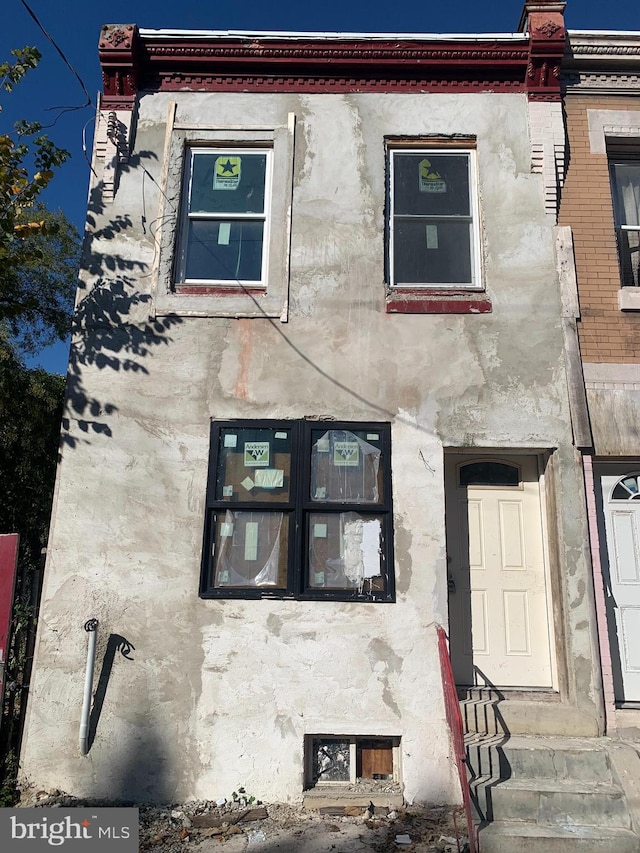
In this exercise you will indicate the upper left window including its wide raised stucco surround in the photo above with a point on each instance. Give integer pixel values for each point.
(224, 250)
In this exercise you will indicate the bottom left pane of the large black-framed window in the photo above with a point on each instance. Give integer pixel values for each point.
(250, 549)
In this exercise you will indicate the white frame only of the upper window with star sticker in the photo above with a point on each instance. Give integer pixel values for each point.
(187, 216)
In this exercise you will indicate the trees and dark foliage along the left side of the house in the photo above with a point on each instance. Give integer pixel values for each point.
(39, 254)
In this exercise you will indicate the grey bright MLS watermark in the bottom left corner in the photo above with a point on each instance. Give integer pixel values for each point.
(106, 829)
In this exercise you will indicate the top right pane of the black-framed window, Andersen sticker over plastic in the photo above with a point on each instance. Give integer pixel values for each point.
(345, 466)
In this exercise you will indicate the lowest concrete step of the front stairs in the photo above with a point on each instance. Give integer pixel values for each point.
(501, 837)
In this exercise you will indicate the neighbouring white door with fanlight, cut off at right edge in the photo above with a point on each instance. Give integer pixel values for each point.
(621, 571)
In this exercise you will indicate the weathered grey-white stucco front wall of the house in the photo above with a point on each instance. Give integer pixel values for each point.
(220, 692)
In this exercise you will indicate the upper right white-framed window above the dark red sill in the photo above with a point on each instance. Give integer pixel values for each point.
(433, 219)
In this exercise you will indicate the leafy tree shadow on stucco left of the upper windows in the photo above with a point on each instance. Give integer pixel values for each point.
(112, 327)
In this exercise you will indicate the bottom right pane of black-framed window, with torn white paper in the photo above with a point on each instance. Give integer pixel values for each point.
(345, 551)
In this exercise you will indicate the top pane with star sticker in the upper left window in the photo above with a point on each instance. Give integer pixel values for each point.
(227, 182)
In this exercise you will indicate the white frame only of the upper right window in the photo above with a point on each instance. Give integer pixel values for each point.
(398, 150)
